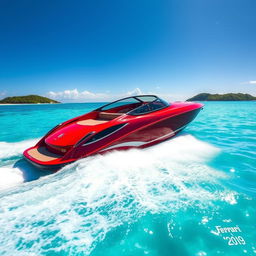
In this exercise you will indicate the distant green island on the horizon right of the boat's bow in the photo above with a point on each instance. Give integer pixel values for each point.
(222, 97)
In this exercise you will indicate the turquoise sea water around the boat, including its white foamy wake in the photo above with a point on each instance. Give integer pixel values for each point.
(192, 195)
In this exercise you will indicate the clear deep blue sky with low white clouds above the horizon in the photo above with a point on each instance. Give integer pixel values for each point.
(99, 50)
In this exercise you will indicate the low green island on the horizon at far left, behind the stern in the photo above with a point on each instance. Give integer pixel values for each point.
(29, 99)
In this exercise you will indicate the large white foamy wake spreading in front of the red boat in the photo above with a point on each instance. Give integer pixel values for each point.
(81, 203)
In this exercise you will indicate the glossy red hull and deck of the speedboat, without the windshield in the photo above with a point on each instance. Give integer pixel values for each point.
(58, 148)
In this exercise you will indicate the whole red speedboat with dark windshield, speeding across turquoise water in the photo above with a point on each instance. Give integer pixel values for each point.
(133, 122)
